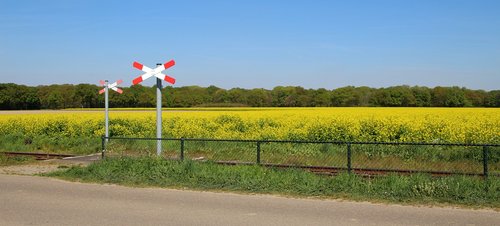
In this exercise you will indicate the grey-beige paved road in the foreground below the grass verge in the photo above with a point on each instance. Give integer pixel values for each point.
(28, 200)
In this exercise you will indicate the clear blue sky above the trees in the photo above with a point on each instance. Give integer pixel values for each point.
(254, 44)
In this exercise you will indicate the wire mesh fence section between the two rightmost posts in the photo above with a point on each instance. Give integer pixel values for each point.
(409, 158)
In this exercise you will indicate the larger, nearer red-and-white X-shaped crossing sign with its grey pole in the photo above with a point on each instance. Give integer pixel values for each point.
(157, 72)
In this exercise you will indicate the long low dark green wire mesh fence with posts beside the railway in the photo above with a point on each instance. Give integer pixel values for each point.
(328, 157)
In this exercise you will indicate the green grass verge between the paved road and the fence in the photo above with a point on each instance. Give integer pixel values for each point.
(414, 189)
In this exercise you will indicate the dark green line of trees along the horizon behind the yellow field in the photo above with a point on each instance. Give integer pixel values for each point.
(21, 97)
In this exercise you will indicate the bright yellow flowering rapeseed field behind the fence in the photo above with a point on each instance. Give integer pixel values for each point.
(464, 125)
